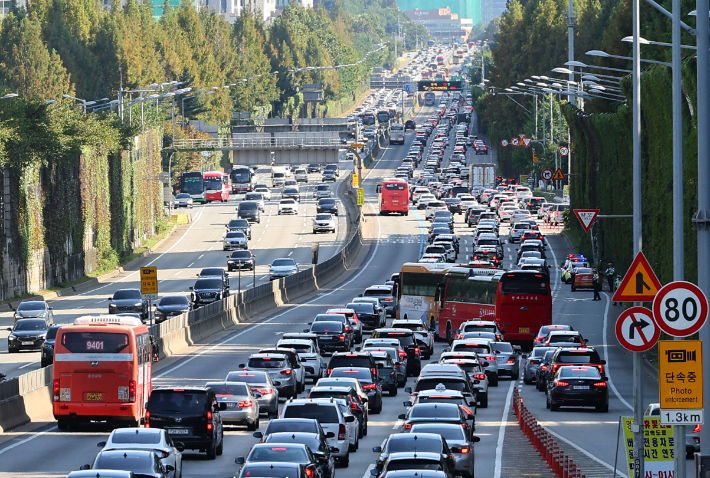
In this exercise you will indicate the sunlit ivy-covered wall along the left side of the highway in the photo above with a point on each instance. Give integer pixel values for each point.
(80, 196)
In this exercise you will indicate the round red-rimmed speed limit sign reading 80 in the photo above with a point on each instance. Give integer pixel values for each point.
(680, 308)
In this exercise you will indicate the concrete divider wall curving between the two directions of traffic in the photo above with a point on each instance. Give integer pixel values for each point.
(27, 397)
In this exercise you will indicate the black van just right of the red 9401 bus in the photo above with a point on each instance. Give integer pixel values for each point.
(190, 415)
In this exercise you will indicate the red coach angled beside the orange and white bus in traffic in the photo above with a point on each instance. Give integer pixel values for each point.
(519, 301)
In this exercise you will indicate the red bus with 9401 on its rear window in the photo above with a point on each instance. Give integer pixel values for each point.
(102, 371)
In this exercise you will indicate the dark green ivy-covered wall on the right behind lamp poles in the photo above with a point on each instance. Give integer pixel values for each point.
(602, 154)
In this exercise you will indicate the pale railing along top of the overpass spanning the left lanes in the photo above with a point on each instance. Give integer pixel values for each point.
(326, 142)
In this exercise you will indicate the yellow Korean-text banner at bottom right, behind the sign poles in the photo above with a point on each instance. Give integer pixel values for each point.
(658, 442)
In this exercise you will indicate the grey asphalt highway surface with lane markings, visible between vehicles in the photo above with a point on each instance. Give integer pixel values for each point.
(39, 449)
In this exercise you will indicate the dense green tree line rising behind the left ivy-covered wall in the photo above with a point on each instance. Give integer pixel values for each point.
(79, 48)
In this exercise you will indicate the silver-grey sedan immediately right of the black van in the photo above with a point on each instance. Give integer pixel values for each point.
(241, 402)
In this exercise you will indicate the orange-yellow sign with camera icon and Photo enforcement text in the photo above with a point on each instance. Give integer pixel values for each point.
(680, 370)
